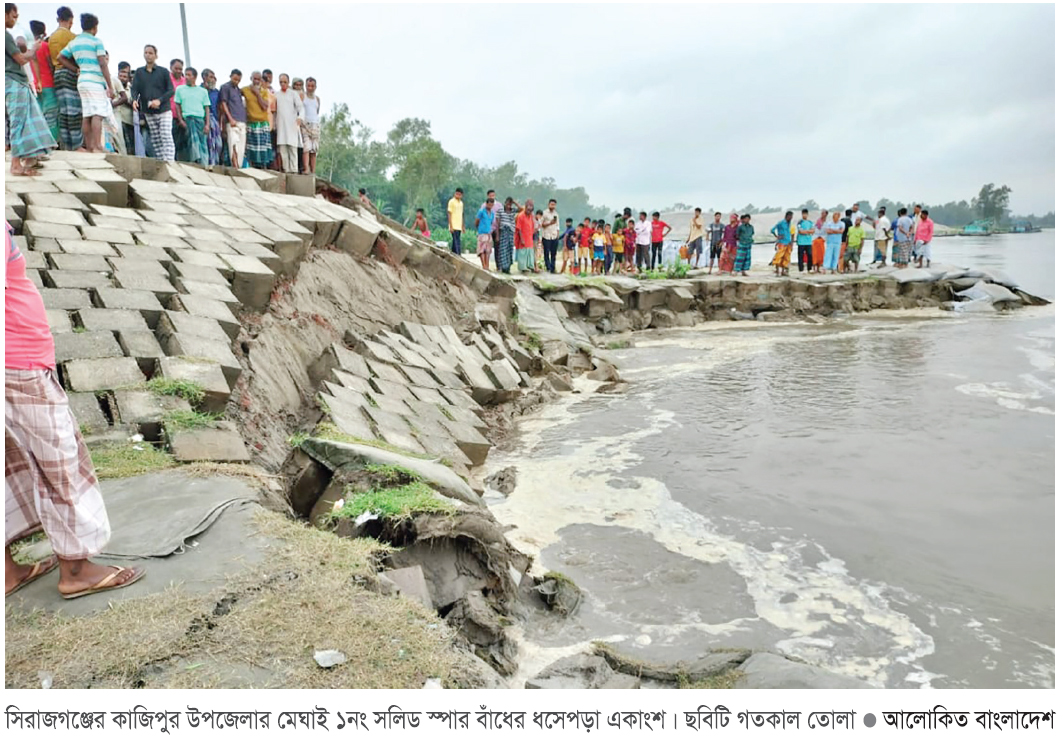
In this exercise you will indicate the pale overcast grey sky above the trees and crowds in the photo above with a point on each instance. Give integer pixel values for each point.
(646, 106)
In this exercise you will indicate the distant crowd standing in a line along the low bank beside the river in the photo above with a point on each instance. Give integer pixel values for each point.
(834, 243)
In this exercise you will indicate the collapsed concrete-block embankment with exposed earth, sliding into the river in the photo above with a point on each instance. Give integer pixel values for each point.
(232, 317)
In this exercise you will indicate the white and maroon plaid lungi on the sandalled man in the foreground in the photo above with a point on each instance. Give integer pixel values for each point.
(49, 481)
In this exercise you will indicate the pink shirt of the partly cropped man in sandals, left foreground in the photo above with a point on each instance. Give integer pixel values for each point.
(28, 340)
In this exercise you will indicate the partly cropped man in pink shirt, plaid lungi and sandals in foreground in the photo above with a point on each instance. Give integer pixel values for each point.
(49, 481)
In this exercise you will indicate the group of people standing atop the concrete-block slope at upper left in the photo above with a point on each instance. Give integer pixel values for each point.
(61, 93)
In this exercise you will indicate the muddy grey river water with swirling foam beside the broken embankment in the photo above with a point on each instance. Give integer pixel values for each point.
(875, 497)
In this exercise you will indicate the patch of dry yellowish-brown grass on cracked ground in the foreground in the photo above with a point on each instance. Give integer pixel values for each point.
(262, 631)
